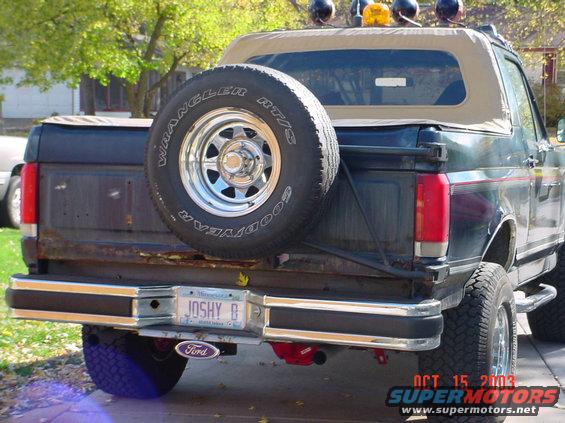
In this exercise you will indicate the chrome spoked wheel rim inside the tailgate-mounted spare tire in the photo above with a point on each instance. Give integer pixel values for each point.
(229, 162)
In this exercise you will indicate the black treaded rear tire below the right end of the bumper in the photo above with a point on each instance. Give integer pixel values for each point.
(467, 336)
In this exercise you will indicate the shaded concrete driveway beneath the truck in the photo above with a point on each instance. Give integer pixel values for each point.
(255, 386)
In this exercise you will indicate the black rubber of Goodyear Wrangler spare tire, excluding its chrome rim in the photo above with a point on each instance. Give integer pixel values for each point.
(309, 161)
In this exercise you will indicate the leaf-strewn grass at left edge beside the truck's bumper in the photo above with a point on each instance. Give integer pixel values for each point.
(34, 354)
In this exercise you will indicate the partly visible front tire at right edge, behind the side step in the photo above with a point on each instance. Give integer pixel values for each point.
(547, 322)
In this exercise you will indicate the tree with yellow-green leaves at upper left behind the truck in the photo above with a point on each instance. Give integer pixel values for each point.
(66, 40)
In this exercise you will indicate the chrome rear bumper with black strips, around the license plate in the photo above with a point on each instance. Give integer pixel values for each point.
(152, 311)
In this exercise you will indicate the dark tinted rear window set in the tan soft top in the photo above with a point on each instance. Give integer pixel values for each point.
(374, 77)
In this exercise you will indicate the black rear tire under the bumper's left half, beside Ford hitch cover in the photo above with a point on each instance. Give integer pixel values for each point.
(127, 365)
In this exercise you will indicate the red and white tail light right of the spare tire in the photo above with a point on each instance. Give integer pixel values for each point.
(431, 231)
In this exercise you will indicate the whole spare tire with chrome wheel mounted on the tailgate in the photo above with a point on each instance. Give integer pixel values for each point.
(240, 161)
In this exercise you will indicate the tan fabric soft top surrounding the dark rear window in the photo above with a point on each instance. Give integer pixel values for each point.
(484, 108)
